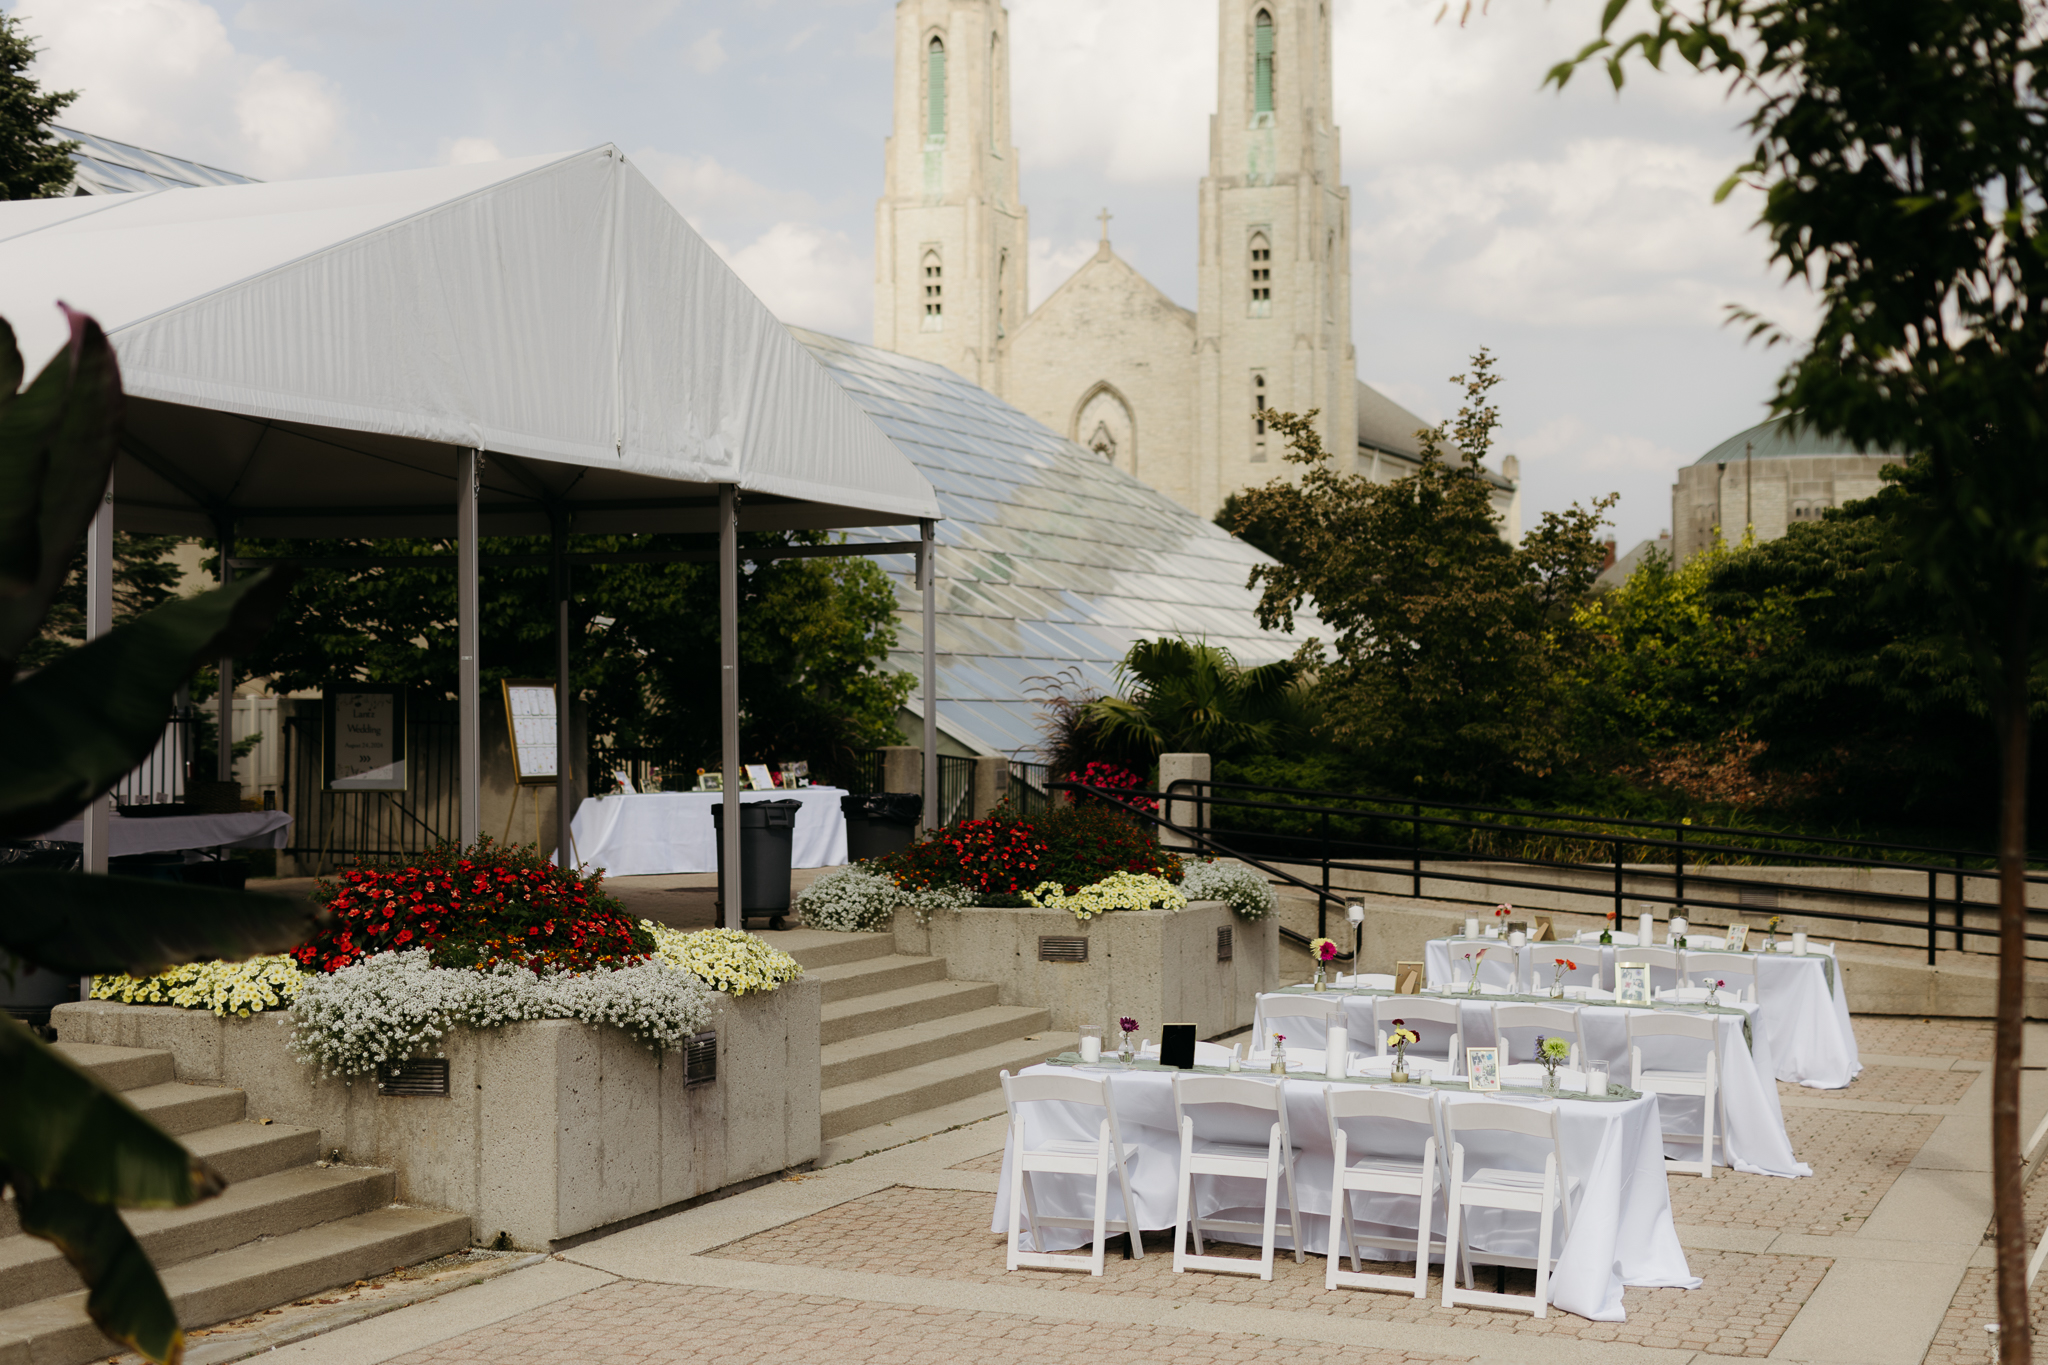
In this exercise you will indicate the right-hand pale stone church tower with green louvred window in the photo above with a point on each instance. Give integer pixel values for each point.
(1275, 314)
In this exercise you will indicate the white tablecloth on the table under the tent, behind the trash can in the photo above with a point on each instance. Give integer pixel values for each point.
(671, 832)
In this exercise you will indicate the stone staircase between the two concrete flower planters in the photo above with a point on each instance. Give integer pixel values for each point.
(900, 1037)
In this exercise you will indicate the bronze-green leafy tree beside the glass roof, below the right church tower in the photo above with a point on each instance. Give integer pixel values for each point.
(1449, 642)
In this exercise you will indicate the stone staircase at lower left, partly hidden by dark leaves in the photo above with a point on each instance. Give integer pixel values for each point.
(286, 1227)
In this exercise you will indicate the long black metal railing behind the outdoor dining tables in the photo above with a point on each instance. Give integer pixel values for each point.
(1658, 863)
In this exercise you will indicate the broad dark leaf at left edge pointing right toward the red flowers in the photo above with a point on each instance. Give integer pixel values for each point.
(71, 922)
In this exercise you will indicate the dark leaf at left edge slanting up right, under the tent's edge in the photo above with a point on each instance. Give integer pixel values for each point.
(85, 721)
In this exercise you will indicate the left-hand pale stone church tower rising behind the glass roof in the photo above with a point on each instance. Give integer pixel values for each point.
(951, 236)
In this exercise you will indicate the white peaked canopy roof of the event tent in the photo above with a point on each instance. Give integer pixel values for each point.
(556, 310)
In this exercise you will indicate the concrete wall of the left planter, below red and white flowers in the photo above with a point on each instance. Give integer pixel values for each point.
(550, 1129)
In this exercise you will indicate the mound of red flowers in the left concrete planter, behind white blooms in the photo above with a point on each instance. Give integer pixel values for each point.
(476, 908)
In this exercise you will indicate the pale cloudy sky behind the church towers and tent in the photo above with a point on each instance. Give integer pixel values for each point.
(1572, 234)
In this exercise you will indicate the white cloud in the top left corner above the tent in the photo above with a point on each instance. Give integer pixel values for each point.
(165, 75)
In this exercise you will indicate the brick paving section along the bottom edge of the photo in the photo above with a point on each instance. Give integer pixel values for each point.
(636, 1321)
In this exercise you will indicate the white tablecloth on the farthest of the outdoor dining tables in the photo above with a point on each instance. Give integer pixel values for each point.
(1803, 1008)
